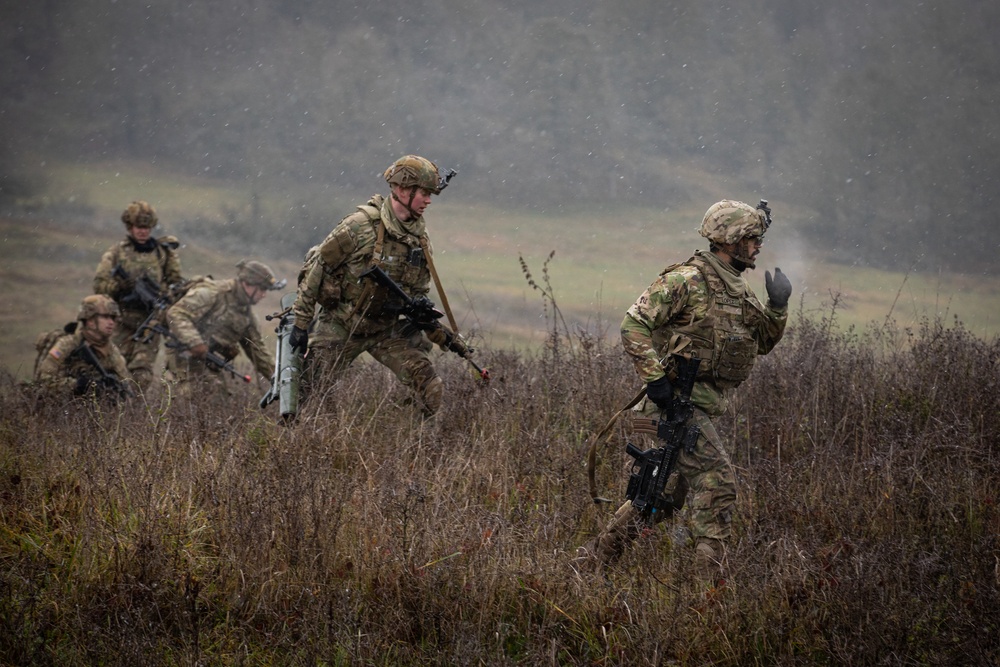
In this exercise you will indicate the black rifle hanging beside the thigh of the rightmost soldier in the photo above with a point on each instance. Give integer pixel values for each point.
(652, 468)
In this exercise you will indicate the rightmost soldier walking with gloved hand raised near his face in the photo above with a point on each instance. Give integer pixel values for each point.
(704, 309)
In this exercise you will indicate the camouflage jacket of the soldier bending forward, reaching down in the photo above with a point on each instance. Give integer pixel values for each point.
(219, 314)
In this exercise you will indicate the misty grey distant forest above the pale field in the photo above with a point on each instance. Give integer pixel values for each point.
(881, 119)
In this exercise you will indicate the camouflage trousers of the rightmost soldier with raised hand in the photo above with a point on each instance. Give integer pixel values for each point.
(705, 477)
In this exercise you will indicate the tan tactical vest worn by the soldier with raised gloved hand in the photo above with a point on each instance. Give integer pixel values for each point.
(724, 339)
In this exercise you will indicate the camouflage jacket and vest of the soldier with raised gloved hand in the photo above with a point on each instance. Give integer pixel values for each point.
(701, 308)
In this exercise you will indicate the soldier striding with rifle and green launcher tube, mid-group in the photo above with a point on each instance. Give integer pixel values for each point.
(359, 316)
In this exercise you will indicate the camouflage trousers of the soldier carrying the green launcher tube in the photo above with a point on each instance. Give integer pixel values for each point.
(401, 348)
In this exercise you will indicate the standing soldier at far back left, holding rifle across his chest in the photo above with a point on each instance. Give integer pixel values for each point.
(140, 257)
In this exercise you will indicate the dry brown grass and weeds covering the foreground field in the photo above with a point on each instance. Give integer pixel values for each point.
(167, 533)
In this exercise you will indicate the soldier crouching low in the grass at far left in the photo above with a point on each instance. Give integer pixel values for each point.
(84, 359)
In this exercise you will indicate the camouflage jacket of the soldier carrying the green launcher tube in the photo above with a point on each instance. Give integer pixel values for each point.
(332, 281)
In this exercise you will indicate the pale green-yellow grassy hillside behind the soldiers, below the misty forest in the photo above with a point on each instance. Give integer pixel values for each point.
(602, 260)
